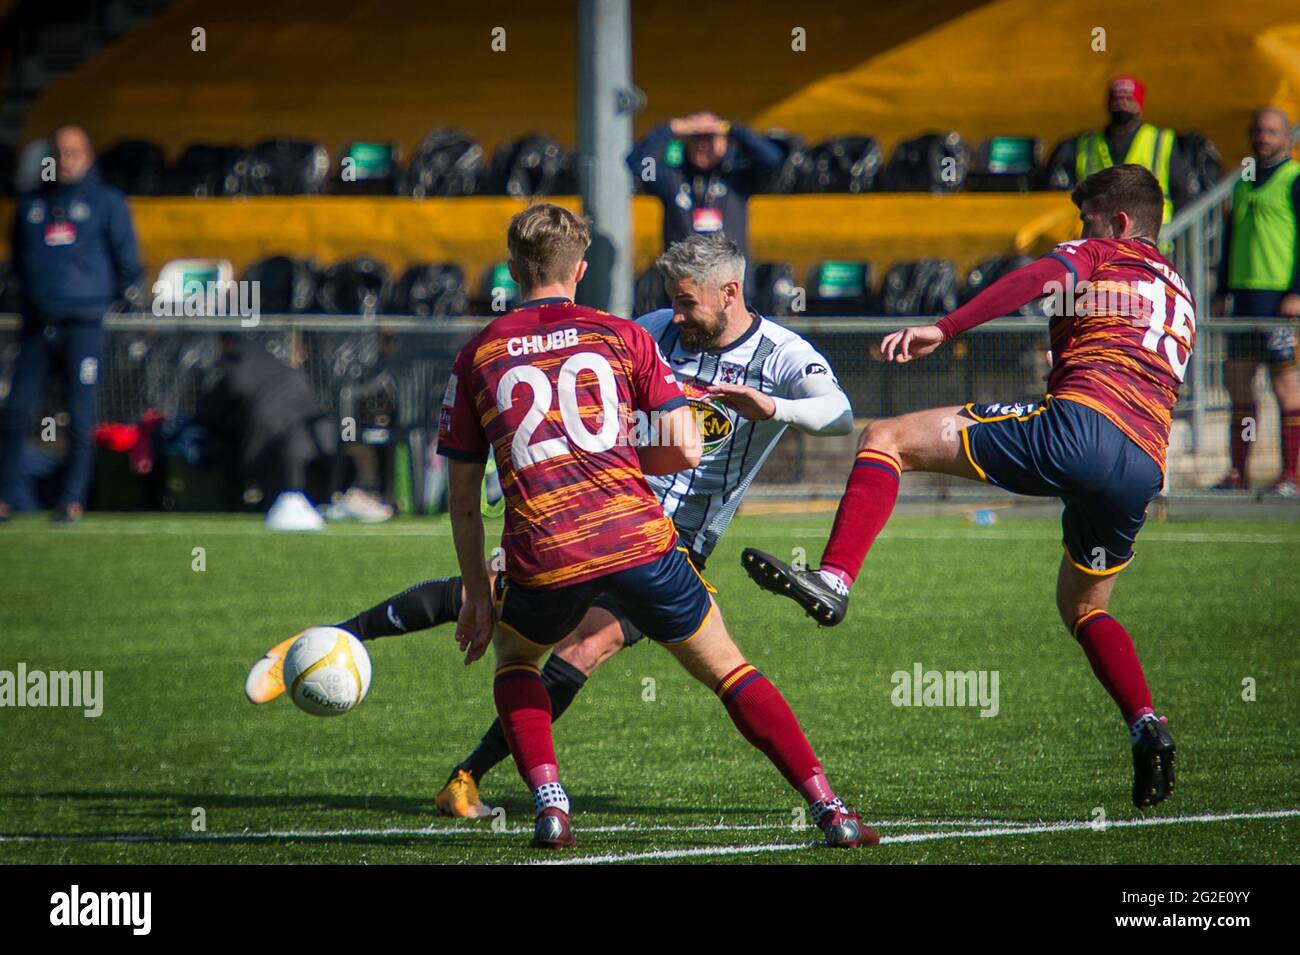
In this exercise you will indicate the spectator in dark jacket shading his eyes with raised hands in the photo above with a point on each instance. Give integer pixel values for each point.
(708, 189)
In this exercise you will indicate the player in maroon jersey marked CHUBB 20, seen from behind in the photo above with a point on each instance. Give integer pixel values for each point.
(551, 388)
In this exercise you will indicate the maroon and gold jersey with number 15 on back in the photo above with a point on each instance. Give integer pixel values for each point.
(1126, 337)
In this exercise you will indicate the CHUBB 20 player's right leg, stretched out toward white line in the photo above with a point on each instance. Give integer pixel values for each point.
(765, 719)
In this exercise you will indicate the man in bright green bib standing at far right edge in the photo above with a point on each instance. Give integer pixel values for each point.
(1260, 271)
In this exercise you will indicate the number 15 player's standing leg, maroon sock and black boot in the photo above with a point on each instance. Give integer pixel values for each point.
(1082, 600)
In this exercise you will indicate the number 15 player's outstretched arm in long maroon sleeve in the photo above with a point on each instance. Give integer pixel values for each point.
(1006, 297)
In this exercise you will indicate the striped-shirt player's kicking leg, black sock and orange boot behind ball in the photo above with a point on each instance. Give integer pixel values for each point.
(415, 609)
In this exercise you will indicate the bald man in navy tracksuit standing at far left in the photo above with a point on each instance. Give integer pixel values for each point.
(73, 251)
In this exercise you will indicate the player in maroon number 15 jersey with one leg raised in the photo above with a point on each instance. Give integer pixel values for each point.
(1098, 440)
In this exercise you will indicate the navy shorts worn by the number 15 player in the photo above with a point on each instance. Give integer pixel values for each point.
(1065, 450)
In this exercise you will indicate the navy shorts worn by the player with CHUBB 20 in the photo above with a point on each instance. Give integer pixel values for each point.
(666, 600)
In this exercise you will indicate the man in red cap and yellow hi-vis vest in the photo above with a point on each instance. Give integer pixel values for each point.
(1125, 140)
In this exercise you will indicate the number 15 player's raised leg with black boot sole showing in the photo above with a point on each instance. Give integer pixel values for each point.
(924, 441)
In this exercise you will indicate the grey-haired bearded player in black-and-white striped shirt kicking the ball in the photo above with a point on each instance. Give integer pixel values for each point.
(778, 380)
